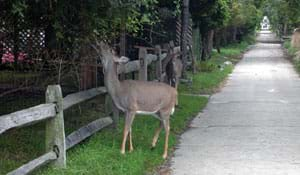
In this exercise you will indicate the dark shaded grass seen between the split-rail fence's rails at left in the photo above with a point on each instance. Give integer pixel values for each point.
(18, 146)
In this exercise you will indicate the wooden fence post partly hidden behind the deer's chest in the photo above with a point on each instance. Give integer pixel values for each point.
(110, 108)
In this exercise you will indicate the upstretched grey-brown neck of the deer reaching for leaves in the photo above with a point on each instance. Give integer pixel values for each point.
(111, 80)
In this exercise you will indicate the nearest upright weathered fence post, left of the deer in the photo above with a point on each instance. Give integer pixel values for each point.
(55, 130)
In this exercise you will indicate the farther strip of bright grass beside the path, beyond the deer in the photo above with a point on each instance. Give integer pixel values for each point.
(213, 71)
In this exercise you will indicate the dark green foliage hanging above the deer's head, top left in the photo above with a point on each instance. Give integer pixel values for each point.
(70, 23)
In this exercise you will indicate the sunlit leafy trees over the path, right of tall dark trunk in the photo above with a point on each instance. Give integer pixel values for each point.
(225, 20)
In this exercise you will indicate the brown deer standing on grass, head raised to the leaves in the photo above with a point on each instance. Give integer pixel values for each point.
(137, 97)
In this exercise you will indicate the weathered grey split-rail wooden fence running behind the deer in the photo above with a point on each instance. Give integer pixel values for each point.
(53, 112)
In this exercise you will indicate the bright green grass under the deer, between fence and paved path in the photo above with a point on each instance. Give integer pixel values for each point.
(101, 153)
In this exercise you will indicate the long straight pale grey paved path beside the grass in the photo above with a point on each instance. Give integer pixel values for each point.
(252, 127)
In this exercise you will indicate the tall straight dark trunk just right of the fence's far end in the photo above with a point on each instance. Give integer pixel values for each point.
(184, 32)
